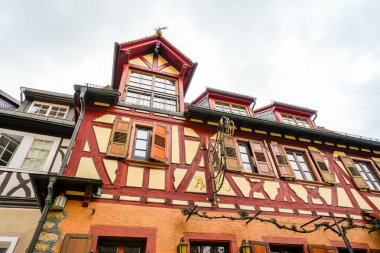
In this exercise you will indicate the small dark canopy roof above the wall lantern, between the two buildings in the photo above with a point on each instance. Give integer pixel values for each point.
(63, 183)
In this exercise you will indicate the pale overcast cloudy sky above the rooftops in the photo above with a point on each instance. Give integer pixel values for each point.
(324, 55)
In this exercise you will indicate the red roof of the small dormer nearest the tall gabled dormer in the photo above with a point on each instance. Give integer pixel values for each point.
(224, 95)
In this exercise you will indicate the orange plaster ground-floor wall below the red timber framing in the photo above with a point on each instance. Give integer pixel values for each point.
(171, 225)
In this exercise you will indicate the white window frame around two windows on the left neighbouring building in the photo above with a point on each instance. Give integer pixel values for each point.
(23, 149)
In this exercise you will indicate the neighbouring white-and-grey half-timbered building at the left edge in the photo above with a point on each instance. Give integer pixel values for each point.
(34, 135)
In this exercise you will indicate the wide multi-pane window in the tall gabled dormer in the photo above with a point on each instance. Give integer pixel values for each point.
(152, 91)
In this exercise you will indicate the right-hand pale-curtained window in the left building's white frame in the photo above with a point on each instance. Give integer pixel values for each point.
(37, 155)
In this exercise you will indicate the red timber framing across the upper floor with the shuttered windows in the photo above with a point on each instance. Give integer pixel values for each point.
(285, 198)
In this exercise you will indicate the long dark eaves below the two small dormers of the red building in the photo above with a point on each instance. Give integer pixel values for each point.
(272, 126)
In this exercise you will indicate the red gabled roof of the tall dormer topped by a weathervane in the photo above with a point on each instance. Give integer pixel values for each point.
(151, 44)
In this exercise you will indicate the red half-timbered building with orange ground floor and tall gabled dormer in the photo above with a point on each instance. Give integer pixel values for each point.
(283, 184)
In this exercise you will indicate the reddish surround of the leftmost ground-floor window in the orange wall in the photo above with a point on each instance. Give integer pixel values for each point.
(148, 234)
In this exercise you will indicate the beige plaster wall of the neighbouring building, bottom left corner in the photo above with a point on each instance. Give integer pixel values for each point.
(19, 222)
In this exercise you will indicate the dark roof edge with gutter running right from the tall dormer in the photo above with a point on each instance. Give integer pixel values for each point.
(272, 124)
